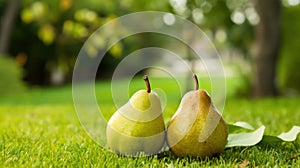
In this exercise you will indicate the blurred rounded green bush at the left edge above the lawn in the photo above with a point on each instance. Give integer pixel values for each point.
(10, 77)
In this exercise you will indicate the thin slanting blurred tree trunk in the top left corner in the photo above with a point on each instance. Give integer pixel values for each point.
(7, 24)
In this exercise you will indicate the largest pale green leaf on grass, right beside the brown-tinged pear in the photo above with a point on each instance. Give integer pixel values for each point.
(246, 139)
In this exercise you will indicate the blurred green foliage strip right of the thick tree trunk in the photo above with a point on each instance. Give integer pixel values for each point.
(289, 61)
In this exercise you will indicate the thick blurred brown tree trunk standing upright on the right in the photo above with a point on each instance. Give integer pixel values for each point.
(267, 43)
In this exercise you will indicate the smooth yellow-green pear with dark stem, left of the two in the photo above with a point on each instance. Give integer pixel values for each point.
(138, 126)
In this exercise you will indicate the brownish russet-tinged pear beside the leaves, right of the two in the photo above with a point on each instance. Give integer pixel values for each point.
(197, 128)
